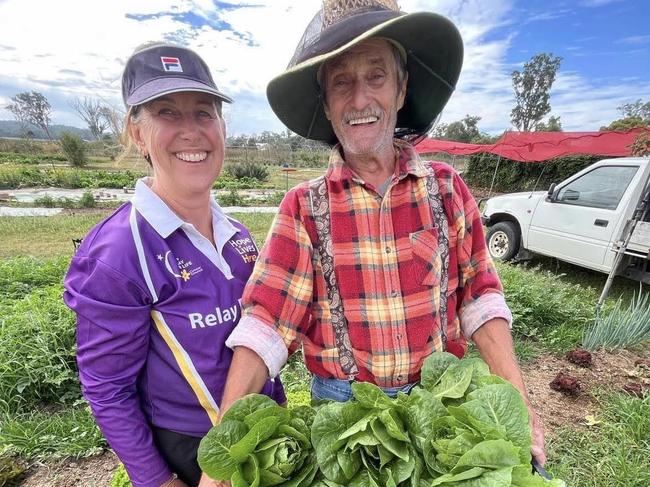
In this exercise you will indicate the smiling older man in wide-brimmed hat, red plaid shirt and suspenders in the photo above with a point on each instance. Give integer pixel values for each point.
(383, 260)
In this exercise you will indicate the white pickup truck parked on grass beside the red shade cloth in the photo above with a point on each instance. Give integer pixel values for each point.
(584, 219)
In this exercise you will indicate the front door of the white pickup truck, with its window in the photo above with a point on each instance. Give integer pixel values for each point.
(578, 222)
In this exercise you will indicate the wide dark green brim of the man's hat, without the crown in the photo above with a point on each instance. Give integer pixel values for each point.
(434, 50)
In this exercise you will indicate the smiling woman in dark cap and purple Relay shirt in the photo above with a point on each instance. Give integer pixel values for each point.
(156, 286)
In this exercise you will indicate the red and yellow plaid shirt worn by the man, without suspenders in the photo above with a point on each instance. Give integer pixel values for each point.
(382, 249)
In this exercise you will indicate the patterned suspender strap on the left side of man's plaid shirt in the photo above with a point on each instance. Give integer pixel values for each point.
(320, 210)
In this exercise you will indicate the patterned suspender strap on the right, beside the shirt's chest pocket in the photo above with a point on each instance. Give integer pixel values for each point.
(441, 222)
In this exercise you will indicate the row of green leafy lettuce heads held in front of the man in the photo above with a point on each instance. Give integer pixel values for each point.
(462, 427)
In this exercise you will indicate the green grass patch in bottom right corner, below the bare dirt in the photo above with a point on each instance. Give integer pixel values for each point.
(613, 453)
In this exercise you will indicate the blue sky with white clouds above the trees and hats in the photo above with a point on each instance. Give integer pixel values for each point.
(69, 49)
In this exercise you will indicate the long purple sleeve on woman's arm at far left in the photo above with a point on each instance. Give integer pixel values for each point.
(113, 322)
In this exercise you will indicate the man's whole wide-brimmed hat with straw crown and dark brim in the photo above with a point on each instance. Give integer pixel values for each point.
(434, 56)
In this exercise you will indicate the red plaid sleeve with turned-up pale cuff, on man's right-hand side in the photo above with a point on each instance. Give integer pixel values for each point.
(480, 292)
